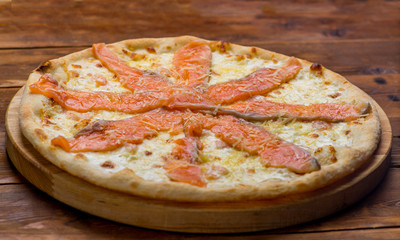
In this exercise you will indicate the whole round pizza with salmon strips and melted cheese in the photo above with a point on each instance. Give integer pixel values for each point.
(188, 119)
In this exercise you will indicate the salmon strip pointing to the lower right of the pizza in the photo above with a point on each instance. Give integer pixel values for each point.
(274, 151)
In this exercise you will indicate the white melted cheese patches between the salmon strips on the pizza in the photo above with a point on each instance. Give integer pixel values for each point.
(147, 160)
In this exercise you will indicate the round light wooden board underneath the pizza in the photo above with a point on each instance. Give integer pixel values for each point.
(193, 217)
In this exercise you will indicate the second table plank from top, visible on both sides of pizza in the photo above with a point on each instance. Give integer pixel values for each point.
(353, 57)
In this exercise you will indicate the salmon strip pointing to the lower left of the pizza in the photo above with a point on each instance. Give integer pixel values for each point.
(106, 135)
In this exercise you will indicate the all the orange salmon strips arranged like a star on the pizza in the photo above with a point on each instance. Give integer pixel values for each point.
(187, 105)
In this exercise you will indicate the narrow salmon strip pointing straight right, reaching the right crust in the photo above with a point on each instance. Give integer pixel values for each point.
(330, 112)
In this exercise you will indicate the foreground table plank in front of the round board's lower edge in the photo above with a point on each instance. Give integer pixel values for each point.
(25, 210)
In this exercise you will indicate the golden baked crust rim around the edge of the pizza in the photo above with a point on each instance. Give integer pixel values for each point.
(348, 159)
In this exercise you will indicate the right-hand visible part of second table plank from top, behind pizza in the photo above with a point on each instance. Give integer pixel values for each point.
(350, 57)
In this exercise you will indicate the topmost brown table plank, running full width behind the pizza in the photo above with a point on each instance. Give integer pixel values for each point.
(55, 23)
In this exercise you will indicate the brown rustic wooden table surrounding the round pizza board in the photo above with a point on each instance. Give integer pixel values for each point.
(359, 39)
